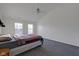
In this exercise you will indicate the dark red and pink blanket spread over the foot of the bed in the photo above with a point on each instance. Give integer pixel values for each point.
(27, 39)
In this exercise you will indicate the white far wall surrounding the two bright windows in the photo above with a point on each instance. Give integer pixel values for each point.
(9, 25)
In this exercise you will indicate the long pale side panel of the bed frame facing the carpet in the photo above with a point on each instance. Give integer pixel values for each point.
(24, 48)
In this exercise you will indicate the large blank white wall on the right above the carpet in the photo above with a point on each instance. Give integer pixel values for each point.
(62, 24)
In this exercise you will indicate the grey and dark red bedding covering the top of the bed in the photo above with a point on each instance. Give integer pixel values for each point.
(19, 41)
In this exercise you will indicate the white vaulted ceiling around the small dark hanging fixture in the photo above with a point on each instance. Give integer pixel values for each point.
(27, 11)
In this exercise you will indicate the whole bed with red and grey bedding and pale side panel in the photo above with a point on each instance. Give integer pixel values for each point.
(19, 44)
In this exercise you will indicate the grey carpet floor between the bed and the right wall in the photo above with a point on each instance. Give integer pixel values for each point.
(52, 48)
